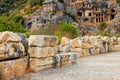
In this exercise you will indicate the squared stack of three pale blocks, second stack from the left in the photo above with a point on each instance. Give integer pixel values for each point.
(41, 51)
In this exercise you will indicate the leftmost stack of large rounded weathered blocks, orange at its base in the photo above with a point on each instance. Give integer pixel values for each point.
(13, 56)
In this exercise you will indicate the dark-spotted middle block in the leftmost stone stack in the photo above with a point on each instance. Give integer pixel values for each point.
(11, 50)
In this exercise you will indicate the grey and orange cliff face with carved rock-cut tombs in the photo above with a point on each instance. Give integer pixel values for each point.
(85, 14)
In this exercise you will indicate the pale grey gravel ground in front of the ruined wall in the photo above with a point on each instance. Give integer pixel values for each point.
(97, 67)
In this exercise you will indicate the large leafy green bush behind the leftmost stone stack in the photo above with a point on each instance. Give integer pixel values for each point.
(13, 24)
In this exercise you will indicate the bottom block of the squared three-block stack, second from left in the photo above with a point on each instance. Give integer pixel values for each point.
(37, 64)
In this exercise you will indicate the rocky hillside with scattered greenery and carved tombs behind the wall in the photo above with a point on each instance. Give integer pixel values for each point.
(88, 16)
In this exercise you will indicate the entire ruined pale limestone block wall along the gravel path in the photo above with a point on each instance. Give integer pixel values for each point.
(19, 55)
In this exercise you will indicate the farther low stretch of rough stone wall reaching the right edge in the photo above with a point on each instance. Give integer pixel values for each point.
(90, 45)
